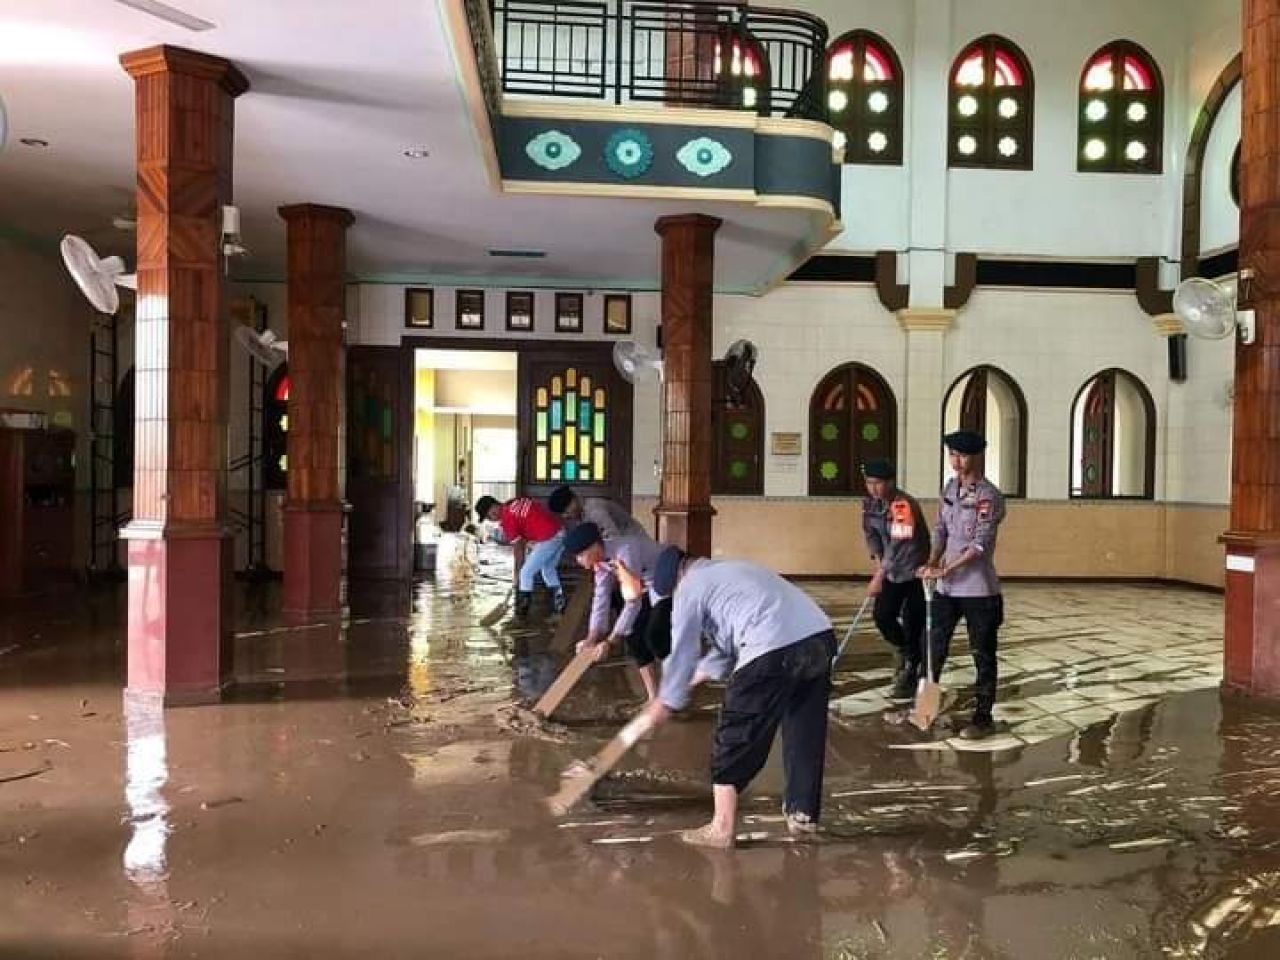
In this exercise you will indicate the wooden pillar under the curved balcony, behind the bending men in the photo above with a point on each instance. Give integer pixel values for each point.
(688, 267)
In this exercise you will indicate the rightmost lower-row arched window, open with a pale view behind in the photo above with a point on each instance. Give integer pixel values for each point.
(1113, 438)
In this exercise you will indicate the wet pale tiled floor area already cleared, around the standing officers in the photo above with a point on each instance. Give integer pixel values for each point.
(1071, 657)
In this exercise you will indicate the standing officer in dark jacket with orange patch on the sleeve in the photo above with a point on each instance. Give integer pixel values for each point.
(898, 540)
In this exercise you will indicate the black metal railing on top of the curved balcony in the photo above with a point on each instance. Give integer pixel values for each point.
(693, 54)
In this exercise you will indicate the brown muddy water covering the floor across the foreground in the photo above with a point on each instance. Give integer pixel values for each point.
(372, 792)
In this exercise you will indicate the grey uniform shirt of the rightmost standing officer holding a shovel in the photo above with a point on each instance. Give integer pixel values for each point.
(970, 516)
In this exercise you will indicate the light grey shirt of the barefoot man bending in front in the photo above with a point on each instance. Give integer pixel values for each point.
(744, 610)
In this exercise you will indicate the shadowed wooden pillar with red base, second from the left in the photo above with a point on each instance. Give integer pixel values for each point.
(313, 509)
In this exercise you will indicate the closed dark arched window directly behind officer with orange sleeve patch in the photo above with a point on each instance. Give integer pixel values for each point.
(853, 418)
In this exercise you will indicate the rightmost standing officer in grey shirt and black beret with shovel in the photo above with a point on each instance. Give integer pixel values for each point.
(963, 563)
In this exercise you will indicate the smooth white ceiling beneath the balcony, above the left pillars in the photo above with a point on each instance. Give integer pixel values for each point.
(337, 95)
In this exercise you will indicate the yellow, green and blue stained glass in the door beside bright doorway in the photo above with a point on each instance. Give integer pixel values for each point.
(570, 429)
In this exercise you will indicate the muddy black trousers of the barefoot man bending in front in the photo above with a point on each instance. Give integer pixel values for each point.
(788, 688)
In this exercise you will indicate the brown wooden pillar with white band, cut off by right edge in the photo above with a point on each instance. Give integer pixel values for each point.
(1252, 656)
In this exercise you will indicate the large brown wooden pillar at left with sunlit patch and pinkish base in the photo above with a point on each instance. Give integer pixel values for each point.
(180, 542)
